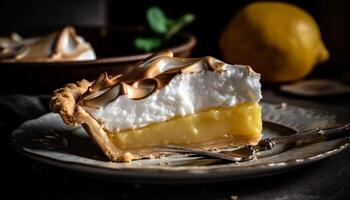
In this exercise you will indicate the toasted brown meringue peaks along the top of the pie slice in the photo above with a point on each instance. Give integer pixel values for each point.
(145, 78)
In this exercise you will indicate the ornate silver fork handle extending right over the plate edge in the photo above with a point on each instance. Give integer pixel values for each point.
(334, 131)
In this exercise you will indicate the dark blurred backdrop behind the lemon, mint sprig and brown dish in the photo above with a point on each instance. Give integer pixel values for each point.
(212, 17)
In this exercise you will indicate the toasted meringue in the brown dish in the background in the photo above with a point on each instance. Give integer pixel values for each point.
(63, 45)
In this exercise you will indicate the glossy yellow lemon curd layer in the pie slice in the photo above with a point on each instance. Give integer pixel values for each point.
(240, 123)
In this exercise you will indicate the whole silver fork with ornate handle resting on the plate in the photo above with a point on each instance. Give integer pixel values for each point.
(248, 152)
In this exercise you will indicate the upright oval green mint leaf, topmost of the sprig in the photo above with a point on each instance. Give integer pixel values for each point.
(157, 20)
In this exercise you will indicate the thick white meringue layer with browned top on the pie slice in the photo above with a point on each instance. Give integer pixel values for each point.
(163, 87)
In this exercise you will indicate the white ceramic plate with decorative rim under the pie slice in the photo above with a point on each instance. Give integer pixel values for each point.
(48, 139)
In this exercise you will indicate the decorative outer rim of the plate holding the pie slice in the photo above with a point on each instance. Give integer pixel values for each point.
(209, 171)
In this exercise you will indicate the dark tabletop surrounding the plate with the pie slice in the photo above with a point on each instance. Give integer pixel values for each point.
(327, 179)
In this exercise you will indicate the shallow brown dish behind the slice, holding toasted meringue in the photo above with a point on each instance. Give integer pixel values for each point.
(114, 50)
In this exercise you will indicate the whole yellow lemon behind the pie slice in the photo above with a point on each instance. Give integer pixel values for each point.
(279, 40)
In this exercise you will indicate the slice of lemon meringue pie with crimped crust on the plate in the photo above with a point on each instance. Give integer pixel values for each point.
(198, 102)
